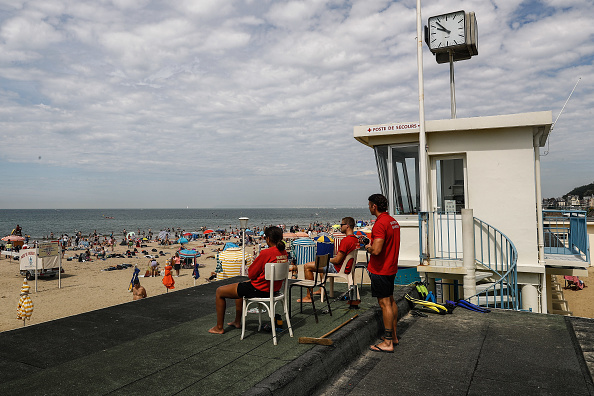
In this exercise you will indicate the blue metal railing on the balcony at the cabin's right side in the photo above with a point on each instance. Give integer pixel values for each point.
(565, 233)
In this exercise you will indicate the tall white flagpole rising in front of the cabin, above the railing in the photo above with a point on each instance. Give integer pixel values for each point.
(422, 137)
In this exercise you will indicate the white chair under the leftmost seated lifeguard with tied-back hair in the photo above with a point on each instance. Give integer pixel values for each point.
(273, 272)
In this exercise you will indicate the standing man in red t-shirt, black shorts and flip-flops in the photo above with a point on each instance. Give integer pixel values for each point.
(383, 265)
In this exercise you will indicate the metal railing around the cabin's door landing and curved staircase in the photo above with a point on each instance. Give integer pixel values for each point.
(440, 240)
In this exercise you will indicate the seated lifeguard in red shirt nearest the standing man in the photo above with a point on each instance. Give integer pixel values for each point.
(347, 245)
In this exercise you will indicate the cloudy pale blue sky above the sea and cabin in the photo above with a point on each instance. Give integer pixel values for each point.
(252, 103)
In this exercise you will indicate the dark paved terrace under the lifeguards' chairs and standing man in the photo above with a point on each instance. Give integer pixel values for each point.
(160, 345)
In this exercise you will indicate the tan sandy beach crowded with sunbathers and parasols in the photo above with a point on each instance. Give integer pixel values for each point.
(85, 287)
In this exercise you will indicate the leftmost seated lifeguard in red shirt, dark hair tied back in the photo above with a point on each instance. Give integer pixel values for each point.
(257, 286)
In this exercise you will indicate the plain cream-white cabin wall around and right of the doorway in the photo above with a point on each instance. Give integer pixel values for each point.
(500, 181)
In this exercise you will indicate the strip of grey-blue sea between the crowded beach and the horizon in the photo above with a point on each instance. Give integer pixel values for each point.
(40, 223)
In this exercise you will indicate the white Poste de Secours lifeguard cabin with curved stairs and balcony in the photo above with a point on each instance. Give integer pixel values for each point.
(483, 234)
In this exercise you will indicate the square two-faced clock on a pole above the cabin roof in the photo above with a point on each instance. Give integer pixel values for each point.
(453, 33)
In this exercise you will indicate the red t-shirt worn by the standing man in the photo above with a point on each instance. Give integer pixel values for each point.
(386, 228)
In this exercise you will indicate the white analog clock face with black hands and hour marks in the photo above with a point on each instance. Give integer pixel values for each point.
(446, 31)
